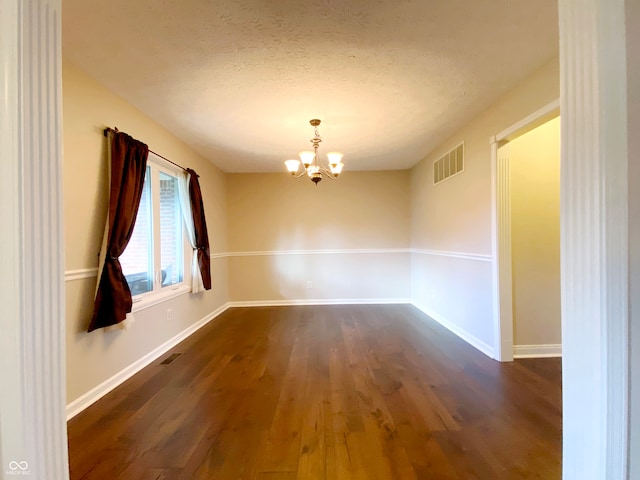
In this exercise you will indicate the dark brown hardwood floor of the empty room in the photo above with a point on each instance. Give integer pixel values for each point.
(335, 392)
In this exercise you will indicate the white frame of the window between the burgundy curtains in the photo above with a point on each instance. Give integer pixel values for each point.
(161, 294)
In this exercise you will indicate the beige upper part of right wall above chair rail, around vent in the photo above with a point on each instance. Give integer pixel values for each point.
(456, 214)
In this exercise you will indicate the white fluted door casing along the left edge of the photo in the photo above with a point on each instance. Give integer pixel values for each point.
(33, 437)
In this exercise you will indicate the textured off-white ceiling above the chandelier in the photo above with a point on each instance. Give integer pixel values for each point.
(239, 80)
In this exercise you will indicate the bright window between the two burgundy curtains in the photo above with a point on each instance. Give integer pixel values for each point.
(154, 260)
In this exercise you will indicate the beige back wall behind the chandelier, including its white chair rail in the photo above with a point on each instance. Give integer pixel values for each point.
(349, 238)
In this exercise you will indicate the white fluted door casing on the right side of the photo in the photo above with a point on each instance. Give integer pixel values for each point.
(594, 243)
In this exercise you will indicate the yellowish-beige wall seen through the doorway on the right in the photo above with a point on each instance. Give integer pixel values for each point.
(534, 163)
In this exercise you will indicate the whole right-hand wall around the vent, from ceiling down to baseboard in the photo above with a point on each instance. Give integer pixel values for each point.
(451, 221)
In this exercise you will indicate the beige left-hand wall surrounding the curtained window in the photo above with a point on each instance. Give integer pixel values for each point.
(93, 358)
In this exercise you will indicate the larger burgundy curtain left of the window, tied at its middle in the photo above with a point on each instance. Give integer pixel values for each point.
(128, 167)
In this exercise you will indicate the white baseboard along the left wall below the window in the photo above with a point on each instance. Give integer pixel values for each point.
(93, 395)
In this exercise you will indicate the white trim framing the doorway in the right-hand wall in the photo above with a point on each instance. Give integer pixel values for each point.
(502, 289)
